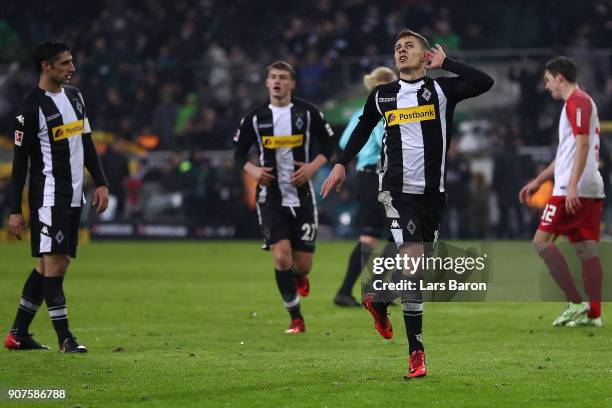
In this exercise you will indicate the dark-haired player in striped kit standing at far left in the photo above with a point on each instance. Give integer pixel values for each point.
(53, 141)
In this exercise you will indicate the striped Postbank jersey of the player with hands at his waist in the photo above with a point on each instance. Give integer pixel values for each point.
(284, 135)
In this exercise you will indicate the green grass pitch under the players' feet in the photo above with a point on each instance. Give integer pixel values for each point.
(201, 324)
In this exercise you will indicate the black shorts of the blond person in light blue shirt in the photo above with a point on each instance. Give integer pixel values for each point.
(371, 212)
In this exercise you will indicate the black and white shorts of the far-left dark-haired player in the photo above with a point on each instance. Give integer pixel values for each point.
(55, 230)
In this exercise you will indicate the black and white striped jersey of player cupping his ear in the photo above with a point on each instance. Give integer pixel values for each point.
(418, 119)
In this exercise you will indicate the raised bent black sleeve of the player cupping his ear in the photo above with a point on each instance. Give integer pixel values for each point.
(468, 83)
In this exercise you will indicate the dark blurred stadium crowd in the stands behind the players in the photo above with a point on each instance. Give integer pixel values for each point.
(166, 84)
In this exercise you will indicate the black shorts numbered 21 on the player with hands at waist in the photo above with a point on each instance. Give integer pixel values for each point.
(297, 224)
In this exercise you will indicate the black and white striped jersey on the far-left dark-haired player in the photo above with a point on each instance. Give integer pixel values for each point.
(53, 140)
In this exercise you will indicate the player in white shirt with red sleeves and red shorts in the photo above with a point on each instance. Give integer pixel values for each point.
(576, 206)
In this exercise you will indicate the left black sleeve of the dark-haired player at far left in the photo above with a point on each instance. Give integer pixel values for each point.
(26, 129)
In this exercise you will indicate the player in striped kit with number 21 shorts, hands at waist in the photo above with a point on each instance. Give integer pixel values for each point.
(283, 129)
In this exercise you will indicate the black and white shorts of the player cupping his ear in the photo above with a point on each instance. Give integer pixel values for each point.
(413, 217)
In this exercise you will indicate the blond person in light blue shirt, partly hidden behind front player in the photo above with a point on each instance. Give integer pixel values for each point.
(371, 216)
